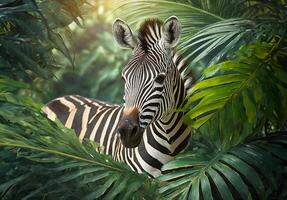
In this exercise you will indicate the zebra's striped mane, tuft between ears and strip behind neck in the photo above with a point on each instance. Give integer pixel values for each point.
(149, 32)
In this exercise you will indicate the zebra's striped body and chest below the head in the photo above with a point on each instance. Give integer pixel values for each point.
(98, 121)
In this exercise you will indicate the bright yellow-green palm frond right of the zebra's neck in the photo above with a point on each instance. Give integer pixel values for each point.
(248, 87)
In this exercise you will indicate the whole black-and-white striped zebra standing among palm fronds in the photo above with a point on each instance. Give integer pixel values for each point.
(146, 131)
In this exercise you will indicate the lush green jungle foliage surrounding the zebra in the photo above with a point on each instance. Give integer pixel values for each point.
(237, 106)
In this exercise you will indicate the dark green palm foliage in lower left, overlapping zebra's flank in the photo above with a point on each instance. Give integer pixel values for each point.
(40, 158)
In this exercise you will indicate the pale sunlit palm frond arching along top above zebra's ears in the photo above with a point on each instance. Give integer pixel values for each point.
(194, 15)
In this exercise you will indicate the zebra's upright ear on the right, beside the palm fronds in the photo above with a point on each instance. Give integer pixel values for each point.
(171, 30)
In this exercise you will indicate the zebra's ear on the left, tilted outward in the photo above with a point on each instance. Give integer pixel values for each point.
(123, 34)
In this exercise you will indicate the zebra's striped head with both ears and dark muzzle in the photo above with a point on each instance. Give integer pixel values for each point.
(150, 76)
